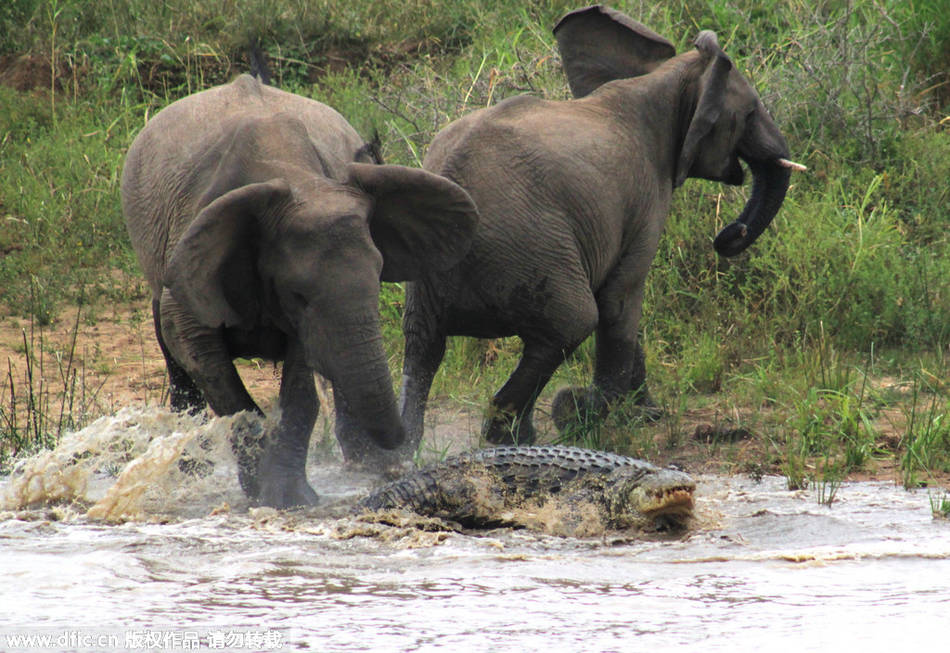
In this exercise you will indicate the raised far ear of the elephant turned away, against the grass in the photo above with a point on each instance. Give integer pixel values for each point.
(599, 45)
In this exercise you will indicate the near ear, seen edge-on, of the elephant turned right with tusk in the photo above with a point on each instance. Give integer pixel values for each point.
(710, 100)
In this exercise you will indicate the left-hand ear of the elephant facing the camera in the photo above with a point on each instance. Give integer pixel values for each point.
(212, 269)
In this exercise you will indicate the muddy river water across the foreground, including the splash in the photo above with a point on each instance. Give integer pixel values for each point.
(175, 554)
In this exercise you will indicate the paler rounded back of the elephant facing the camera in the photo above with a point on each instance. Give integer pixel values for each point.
(172, 162)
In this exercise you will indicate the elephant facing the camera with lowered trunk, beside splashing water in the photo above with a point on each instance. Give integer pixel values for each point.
(264, 228)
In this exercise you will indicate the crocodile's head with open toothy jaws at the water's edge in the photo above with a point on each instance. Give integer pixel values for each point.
(661, 497)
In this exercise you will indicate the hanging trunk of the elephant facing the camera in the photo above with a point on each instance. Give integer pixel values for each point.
(362, 382)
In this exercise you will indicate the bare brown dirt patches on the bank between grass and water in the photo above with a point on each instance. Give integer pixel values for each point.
(106, 358)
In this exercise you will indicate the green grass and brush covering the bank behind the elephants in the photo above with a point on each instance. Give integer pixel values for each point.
(790, 340)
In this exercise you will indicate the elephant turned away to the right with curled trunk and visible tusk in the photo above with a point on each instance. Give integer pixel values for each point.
(573, 196)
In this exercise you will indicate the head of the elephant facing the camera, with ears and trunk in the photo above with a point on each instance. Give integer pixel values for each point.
(304, 254)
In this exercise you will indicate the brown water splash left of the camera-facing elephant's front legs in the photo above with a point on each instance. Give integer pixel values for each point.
(135, 464)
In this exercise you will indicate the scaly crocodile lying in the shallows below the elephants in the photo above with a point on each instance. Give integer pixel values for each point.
(584, 491)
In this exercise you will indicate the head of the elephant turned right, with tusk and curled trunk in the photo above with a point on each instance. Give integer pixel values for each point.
(722, 119)
